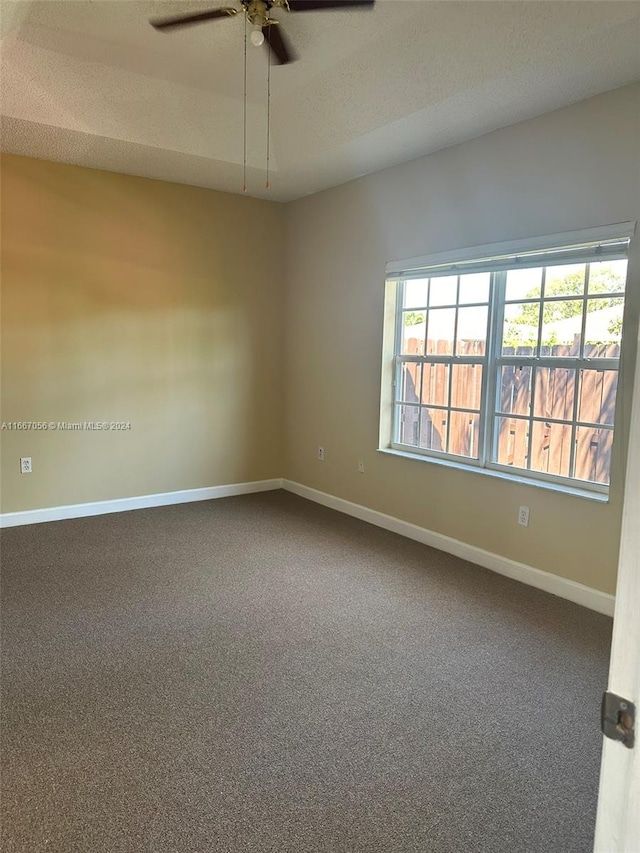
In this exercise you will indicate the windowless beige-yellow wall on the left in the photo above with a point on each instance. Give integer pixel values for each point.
(135, 300)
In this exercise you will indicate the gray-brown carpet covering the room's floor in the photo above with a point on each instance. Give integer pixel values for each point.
(263, 674)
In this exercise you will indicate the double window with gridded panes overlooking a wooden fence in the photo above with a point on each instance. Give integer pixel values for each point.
(511, 362)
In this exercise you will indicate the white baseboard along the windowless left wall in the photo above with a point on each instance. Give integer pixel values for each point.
(58, 513)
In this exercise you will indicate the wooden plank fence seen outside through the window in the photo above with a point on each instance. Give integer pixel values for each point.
(531, 400)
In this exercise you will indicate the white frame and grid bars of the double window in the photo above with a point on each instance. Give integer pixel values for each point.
(587, 245)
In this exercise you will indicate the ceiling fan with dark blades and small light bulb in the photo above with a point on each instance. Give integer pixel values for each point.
(258, 14)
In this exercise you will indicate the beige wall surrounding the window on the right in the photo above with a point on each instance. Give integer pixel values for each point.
(571, 169)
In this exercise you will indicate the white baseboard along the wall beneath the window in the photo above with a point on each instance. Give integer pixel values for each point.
(562, 587)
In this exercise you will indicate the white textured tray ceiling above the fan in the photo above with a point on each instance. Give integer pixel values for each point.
(90, 82)
